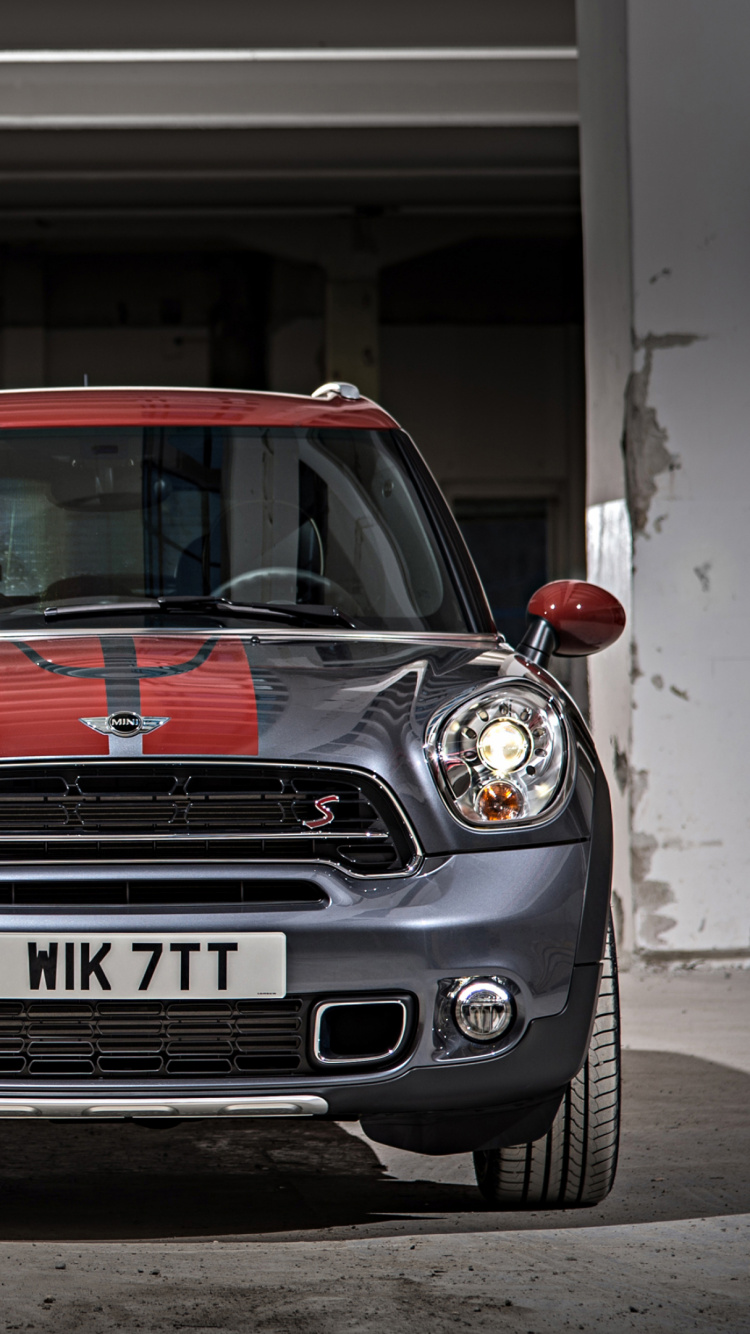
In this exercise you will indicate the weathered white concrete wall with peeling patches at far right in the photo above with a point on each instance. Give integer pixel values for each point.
(687, 421)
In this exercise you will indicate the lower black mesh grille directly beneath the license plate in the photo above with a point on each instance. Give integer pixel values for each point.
(181, 1040)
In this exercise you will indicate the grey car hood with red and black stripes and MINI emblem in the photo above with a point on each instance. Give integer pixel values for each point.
(357, 700)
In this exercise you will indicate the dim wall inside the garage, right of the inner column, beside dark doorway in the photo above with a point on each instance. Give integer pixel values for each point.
(522, 440)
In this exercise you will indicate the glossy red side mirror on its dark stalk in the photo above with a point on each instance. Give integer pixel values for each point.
(571, 618)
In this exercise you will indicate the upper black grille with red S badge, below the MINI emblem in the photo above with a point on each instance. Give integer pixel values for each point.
(181, 810)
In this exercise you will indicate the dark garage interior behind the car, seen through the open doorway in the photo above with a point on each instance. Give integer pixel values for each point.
(430, 255)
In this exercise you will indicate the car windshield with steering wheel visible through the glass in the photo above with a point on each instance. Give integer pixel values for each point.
(306, 517)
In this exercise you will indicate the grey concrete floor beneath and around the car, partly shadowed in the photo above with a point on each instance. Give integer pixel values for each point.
(306, 1227)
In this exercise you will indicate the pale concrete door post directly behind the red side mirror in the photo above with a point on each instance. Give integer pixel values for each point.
(609, 306)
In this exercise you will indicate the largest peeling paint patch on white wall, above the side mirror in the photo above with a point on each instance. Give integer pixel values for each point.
(645, 440)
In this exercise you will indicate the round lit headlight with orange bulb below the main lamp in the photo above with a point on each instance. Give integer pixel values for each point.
(502, 756)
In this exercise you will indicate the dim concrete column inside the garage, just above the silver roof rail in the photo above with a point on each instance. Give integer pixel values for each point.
(352, 333)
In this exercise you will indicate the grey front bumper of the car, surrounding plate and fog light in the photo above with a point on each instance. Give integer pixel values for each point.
(516, 913)
